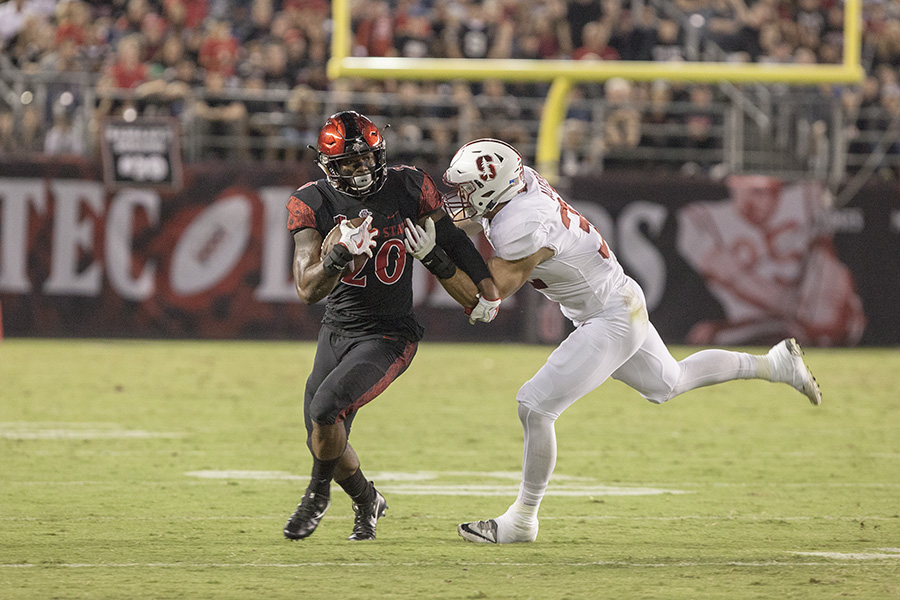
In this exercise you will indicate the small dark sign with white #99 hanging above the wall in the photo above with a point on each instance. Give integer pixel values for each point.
(142, 152)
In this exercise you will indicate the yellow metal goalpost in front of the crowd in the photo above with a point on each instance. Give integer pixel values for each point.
(563, 73)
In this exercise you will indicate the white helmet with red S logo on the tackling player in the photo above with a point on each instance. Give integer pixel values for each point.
(483, 173)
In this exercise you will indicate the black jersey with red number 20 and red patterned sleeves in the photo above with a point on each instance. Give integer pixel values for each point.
(376, 299)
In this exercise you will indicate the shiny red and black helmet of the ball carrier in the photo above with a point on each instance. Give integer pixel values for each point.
(351, 152)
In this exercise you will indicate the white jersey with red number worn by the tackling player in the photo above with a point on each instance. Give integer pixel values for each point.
(583, 274)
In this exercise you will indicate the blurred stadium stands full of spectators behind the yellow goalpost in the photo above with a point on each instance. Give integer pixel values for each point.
(246, 79)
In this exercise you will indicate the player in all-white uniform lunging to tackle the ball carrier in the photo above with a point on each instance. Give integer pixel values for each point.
(540, 239)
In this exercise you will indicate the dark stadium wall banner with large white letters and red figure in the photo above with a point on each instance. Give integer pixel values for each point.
(211, 260)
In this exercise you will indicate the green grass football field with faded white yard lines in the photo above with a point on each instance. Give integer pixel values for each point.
(167, 470)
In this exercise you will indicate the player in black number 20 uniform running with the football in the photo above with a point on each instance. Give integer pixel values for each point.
(369, 333)
